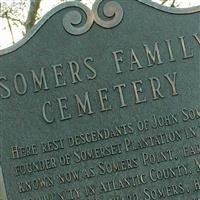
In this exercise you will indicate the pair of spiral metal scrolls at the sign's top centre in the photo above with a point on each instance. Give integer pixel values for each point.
(111, 10)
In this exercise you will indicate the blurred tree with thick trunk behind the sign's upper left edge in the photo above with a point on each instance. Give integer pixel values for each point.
(22, 14)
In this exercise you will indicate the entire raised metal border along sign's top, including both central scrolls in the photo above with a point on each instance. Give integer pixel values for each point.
(111, 10)
